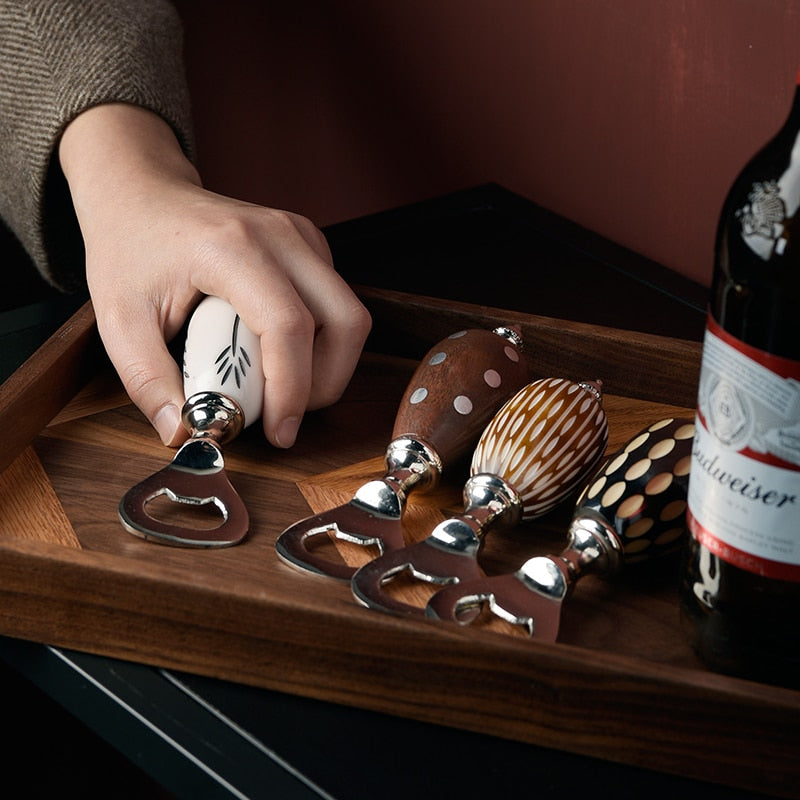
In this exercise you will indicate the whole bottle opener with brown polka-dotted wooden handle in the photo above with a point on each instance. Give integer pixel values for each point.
(454, 392)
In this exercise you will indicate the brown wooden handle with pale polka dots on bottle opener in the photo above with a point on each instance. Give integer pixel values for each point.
(458, 387)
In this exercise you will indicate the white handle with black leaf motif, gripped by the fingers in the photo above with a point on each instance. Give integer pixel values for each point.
(223, 356)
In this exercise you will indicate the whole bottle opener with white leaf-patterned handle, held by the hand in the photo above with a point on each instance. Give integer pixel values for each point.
(224, 387)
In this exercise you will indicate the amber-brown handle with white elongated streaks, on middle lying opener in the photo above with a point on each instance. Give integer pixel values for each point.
(545, 441)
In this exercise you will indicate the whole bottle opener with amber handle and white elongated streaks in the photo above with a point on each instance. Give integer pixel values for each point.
(536, 451)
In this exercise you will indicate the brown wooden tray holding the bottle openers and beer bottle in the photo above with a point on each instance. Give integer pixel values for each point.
(621, 684)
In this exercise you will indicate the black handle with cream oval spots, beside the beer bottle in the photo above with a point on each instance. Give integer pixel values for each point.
(636, 501)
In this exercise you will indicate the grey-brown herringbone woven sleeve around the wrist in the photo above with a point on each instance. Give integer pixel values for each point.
(58, 58)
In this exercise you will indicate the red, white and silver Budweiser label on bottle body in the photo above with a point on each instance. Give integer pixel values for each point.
(744, 486)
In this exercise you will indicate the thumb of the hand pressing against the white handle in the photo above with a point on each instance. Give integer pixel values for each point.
(149, 374)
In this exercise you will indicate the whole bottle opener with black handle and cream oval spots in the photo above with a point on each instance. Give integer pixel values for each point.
(633, 510)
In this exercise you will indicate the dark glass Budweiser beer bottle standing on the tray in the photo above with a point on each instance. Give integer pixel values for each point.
(740, 585)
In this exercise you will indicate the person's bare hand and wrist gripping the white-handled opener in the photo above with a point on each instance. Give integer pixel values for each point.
(156, 241)
